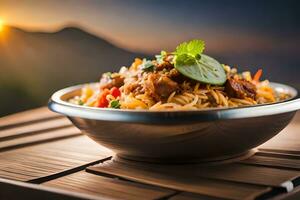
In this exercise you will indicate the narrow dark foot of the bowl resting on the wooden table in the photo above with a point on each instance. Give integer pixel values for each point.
(211, 161)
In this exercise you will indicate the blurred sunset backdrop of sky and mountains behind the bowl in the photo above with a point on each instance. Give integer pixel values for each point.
(48, 45)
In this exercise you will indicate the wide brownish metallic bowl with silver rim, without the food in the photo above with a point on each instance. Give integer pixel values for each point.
(179, 136)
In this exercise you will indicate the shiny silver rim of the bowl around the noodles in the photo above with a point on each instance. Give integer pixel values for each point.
(58, 105)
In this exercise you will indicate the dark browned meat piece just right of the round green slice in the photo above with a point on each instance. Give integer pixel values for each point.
(240, 88)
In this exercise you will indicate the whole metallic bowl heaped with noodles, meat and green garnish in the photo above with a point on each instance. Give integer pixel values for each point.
(182, 106)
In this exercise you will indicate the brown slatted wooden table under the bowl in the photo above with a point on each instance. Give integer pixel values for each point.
(43, 156)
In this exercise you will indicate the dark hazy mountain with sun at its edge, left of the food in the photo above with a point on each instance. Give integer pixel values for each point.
(35, 64)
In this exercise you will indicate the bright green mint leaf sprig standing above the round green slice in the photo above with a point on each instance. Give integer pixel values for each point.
(192, 48)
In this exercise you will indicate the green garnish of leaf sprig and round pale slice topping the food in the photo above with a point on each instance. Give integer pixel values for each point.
(190, 62)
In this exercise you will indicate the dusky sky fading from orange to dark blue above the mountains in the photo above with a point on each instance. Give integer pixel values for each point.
(147, 26)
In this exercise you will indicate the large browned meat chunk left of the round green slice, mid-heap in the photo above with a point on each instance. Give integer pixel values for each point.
(160, 86)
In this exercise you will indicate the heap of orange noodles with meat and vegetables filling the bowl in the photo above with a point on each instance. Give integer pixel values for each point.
(158, 85)
